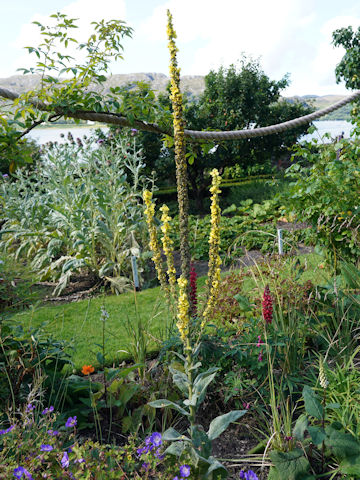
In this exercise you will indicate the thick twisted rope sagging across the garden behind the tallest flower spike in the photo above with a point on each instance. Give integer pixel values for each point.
(117, 119)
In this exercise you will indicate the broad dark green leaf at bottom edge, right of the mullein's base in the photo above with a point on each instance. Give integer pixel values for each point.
(290, 465)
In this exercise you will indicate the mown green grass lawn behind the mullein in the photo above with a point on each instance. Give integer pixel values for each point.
(80, 321)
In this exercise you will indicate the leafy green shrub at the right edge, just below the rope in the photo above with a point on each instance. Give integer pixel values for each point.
(324, 193)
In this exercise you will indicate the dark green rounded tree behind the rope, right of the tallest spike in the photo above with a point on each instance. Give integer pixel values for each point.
(237, 98)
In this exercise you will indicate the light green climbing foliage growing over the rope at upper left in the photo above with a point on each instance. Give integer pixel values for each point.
(67, 86)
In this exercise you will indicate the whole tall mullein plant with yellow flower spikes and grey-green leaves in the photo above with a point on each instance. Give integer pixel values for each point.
(195, 446)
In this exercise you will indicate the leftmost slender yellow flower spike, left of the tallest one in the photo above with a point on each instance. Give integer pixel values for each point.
(154, 243)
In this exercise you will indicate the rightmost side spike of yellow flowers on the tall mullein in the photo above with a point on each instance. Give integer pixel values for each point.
(213, 281)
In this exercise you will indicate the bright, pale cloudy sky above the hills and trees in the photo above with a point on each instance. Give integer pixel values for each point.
(287, 36)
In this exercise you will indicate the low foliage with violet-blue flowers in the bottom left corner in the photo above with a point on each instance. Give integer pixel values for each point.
(50, 449)
